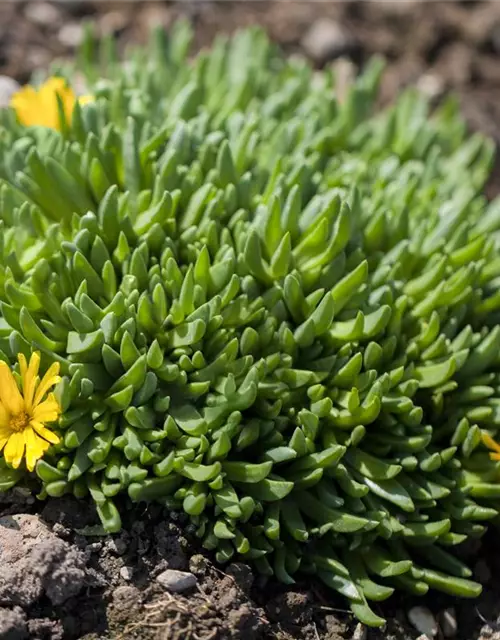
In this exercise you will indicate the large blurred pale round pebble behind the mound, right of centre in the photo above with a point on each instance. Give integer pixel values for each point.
(326, 40)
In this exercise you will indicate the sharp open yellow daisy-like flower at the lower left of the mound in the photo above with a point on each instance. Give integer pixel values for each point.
(22, 415)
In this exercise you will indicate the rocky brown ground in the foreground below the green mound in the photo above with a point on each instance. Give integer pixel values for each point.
(151, 582)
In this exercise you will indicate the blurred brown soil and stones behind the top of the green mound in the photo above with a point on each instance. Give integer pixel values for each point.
(439, 45)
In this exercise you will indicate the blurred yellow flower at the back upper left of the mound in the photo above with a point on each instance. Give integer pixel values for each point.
(39, 106)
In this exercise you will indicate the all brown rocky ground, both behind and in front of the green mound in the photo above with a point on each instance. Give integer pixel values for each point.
(152, 581)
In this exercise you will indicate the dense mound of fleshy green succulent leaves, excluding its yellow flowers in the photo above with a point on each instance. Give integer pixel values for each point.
(272, 309)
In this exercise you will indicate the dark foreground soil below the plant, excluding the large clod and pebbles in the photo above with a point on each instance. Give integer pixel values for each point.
(122, 598)
